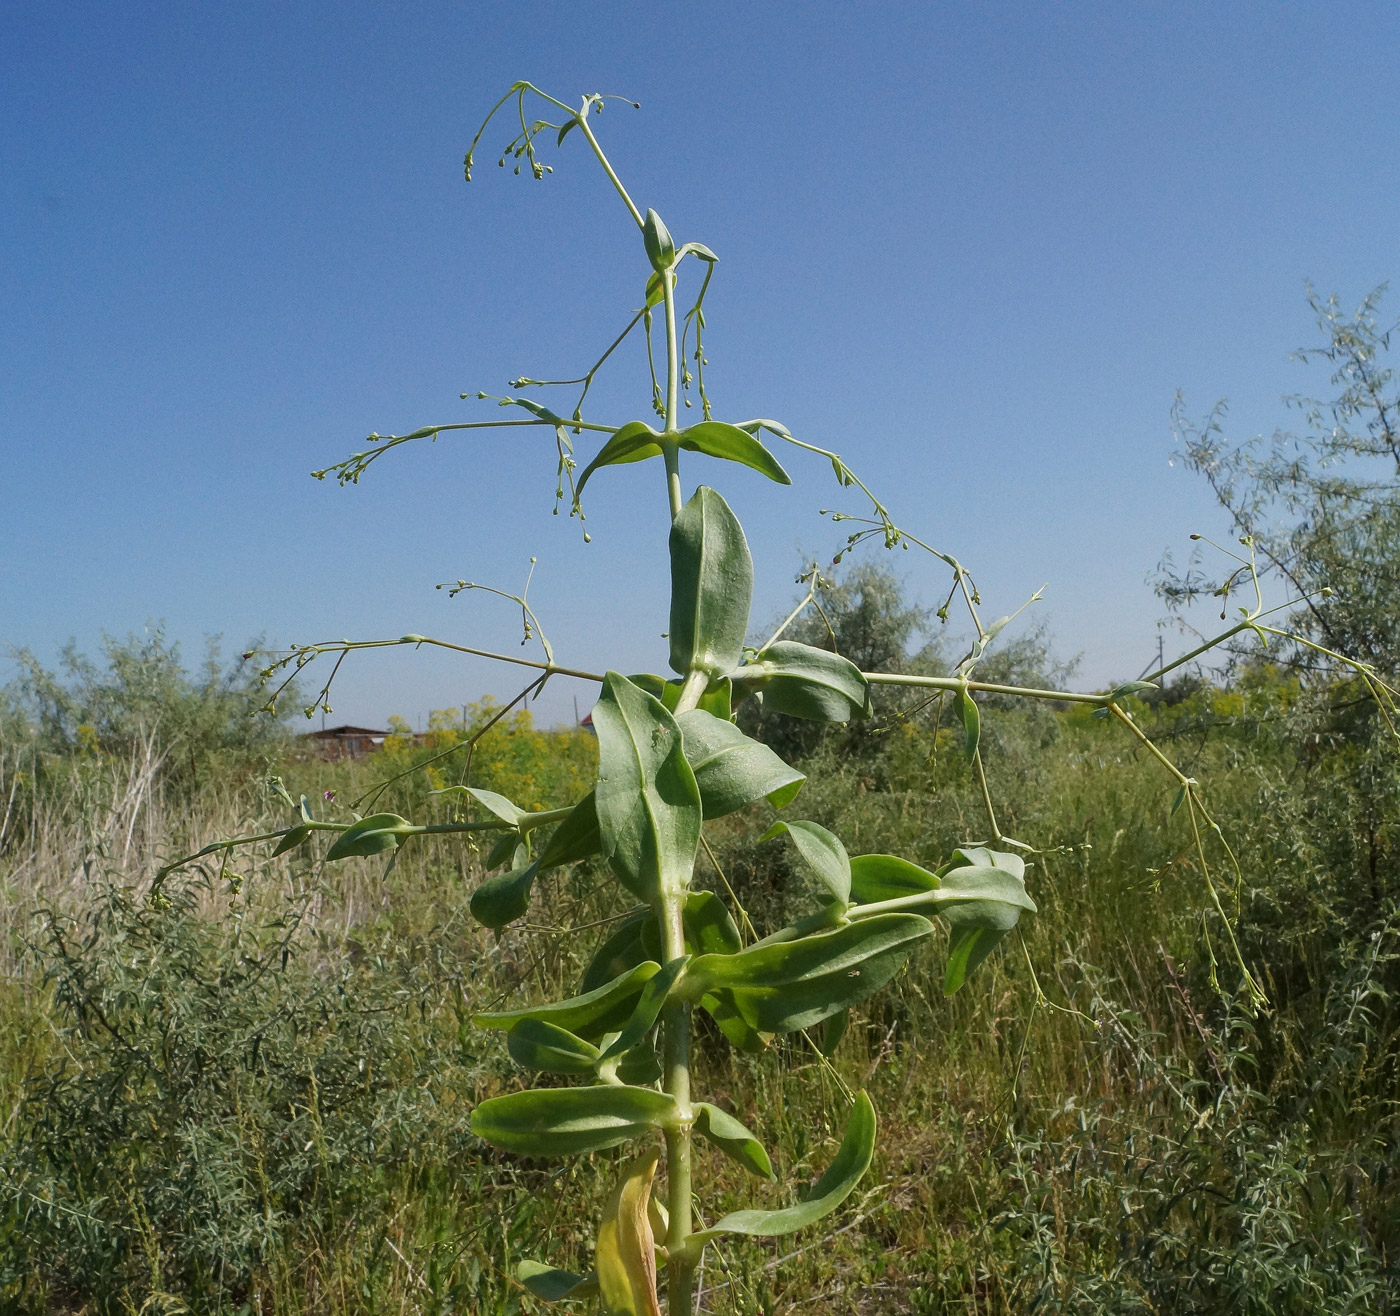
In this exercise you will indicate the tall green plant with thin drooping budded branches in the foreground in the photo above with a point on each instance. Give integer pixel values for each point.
(671, 759)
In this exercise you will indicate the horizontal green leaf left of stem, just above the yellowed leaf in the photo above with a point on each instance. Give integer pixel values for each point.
(568, 1122)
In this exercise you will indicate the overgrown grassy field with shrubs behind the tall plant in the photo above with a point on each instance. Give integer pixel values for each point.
(253, 1095)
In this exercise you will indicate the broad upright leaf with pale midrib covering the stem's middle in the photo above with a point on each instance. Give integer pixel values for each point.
(647, 801)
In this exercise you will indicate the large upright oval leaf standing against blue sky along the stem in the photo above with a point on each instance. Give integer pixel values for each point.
(712, 586)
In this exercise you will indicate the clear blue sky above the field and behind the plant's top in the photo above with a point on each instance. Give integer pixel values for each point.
(975, 248)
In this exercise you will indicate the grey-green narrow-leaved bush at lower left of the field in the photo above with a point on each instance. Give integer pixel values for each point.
(212, 1090)
